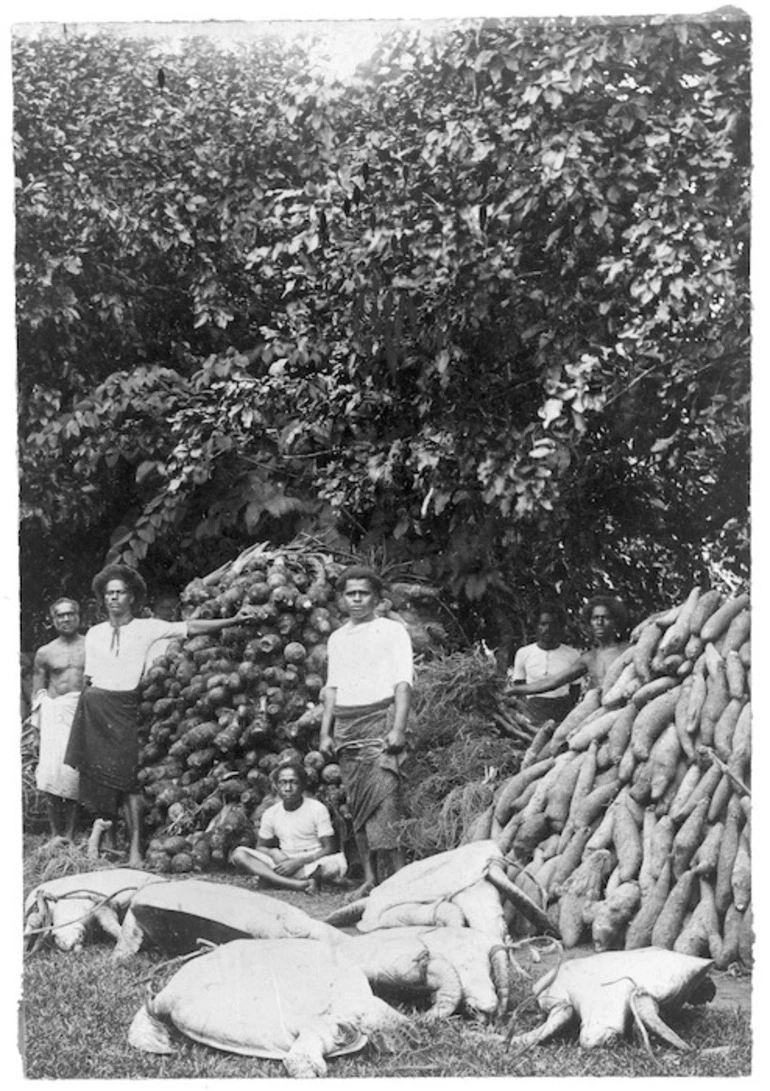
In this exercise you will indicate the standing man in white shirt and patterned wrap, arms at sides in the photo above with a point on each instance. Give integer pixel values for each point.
(367, 703)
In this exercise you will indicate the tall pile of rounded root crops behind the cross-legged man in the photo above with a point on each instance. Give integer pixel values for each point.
(220, 712)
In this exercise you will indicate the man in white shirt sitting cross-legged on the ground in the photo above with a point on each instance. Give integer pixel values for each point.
(296, 842)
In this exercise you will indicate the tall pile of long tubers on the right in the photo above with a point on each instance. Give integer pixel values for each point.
(632, 818)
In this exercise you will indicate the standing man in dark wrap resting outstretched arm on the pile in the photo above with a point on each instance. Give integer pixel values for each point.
(104, 742)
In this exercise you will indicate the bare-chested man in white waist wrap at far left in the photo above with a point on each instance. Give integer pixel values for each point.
(56, 688)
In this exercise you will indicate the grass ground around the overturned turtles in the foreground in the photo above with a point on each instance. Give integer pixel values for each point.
(77, 1010)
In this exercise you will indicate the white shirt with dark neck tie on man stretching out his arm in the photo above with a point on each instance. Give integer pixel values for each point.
(116, 660)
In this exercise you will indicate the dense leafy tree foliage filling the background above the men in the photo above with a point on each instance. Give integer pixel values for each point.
(485, 310)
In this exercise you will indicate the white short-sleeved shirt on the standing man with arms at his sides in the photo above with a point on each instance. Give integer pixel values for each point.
(367, 662)
